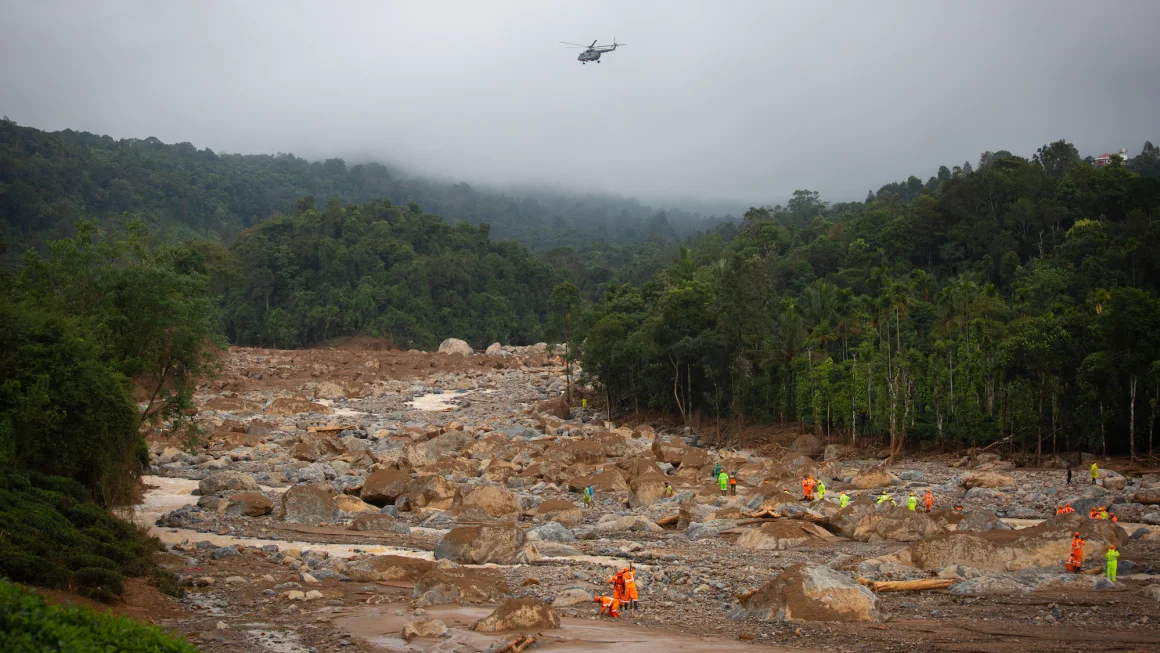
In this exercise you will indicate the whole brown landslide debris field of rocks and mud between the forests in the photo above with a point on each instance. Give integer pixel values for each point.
(371, 500)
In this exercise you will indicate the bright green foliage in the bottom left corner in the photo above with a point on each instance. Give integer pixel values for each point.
(28, 625)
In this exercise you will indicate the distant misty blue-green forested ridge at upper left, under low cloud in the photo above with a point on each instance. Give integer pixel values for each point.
(49, 180)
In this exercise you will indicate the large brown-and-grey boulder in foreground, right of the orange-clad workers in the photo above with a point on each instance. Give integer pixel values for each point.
(813, 593)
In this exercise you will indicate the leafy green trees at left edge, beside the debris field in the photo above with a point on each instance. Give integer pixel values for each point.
(97, 338)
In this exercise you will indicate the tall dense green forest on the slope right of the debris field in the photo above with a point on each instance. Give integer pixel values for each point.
(1014, 300)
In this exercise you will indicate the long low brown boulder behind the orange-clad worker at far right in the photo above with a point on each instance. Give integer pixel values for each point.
(1046, 546)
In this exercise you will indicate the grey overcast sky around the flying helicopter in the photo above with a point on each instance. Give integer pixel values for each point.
(736, 100)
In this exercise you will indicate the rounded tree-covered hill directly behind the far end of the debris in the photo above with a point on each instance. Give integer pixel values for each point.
(376, 269)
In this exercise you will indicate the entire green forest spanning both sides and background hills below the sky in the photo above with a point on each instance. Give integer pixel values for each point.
(1013, 300)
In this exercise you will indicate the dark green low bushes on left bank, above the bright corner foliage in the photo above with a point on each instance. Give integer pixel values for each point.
(56, 536)
